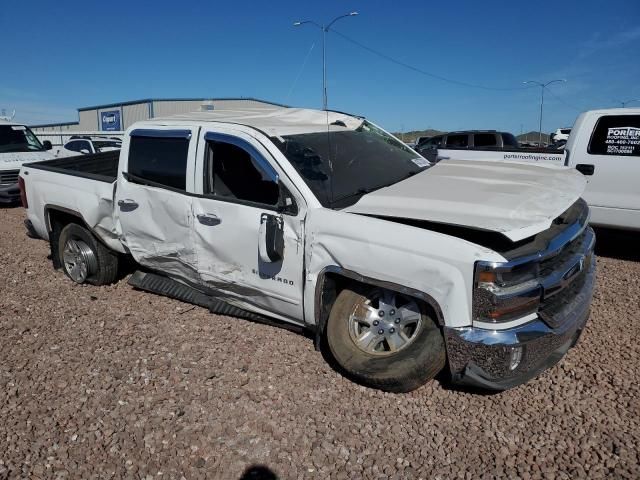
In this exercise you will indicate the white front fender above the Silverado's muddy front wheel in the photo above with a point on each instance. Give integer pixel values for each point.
(438, 265)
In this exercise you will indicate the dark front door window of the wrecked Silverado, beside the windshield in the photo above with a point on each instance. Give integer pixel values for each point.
(234, 173)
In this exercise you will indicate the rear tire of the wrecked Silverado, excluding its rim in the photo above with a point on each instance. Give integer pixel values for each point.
(106, 269)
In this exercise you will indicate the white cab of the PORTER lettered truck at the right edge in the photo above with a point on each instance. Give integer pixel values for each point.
(605, 146)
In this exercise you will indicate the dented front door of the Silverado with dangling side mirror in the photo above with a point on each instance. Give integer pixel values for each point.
(248, 225)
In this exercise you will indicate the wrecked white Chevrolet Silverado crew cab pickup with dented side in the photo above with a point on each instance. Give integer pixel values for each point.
(327, 222)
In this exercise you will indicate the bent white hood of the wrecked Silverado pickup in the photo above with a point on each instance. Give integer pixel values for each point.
(515, 199)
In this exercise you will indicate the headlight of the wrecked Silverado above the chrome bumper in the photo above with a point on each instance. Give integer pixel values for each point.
(502, 293)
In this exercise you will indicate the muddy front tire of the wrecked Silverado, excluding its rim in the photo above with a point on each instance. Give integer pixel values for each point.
(403, 371)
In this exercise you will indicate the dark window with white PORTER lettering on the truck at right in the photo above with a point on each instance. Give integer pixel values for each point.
(616, 135)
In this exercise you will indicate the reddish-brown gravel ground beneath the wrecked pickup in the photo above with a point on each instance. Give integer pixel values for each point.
(102, 382)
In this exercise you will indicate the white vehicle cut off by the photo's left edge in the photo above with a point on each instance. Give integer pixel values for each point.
(18, 145)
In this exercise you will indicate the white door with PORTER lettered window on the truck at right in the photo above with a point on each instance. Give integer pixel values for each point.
(608, 153)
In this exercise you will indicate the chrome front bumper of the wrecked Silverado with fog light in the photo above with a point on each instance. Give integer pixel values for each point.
(502, 359)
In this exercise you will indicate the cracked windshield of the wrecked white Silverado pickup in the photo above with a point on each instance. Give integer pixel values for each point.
(341, 164)
